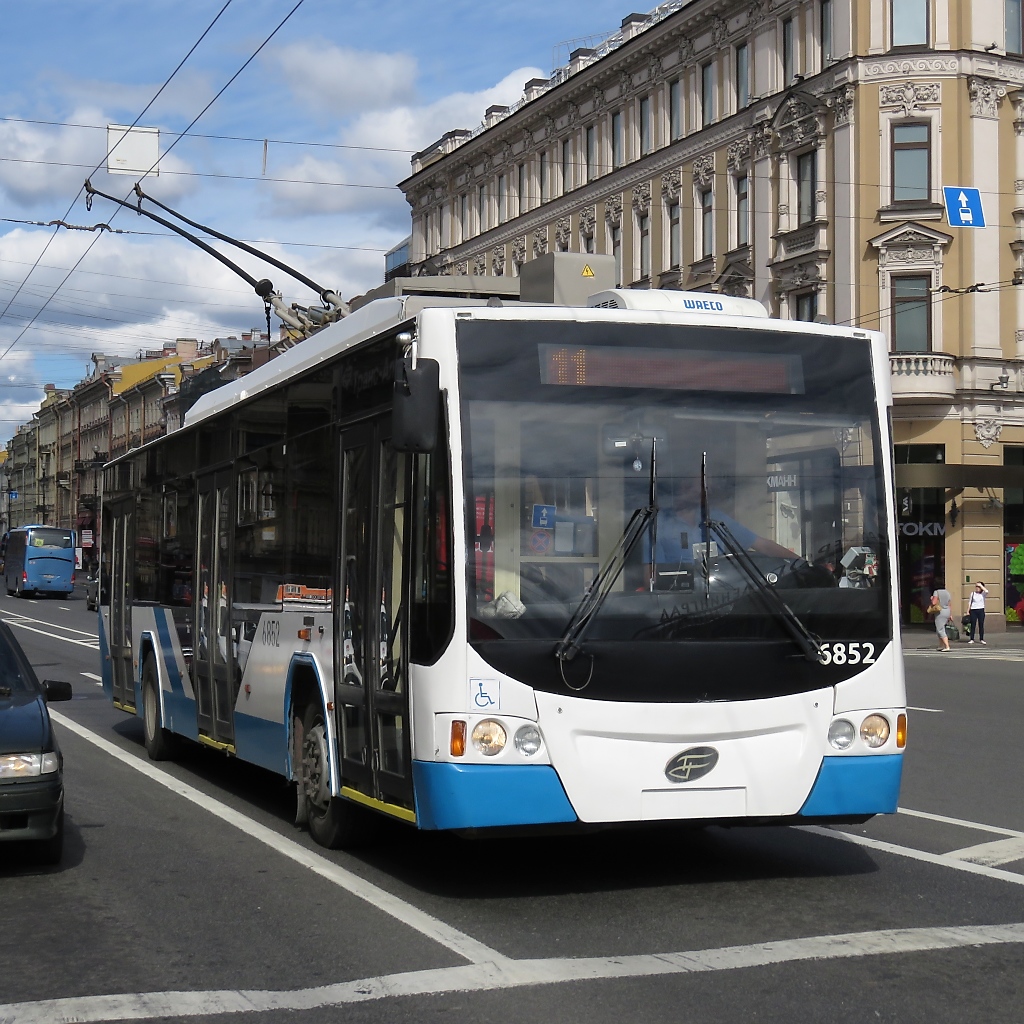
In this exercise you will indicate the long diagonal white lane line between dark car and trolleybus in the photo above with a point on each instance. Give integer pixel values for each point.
(414, 918)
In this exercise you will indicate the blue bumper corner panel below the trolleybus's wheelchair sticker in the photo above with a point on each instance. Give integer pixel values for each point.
(454, 796)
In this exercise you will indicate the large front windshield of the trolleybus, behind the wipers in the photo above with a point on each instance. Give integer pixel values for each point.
(570, 429)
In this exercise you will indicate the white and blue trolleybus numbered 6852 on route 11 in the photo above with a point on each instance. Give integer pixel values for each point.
(480, 567)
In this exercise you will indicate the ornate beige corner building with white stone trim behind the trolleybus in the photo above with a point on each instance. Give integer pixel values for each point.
(796, 152)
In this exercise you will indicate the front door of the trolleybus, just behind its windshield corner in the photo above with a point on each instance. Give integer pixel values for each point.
(372, 684)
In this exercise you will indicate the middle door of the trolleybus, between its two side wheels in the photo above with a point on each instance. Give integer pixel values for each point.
(214, 661)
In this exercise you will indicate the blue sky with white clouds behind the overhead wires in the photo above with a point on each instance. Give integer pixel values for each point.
(345, 94)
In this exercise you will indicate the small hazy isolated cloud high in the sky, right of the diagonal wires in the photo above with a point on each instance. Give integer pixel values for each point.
(337, 81)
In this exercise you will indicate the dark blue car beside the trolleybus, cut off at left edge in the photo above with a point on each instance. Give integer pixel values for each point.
(31, 763)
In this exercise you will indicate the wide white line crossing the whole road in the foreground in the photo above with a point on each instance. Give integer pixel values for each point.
(506, 975)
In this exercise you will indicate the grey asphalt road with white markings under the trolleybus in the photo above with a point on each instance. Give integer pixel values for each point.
(187, 894)
